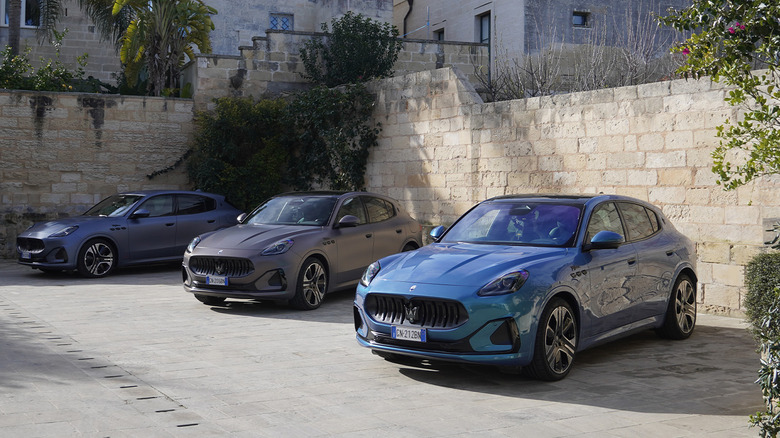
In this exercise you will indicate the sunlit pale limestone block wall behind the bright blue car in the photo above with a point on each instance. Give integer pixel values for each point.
(442, 150)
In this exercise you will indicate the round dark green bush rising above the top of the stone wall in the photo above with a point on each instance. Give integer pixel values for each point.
(358, 49)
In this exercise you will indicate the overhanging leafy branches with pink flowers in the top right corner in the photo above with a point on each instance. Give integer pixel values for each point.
(731, 39)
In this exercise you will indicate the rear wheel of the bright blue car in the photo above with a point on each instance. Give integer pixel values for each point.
(680, 316)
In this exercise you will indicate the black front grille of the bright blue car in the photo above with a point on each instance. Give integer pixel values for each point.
(423, 312)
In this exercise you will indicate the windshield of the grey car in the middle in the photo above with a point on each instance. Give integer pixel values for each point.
(293, 210)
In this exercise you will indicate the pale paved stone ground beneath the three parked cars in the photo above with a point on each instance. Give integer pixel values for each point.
(134, 355)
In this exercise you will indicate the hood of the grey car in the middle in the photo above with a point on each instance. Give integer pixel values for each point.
(253, 236)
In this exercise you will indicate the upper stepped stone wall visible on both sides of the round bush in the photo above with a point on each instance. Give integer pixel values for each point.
(271, 66)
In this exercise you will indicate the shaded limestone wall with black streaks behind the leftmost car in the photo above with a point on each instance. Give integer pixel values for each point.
(60, 153)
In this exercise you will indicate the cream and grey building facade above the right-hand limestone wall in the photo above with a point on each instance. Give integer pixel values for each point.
(514, 29)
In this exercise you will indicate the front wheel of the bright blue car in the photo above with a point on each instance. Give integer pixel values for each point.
(556, 342)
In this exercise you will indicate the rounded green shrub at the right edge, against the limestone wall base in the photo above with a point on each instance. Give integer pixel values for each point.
(762, 276)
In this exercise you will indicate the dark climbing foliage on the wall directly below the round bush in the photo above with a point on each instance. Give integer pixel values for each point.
(333, 132)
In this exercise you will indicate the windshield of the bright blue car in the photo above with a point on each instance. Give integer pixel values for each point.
(517, 223)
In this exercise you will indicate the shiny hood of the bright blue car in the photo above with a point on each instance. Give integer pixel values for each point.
(462, 264)
